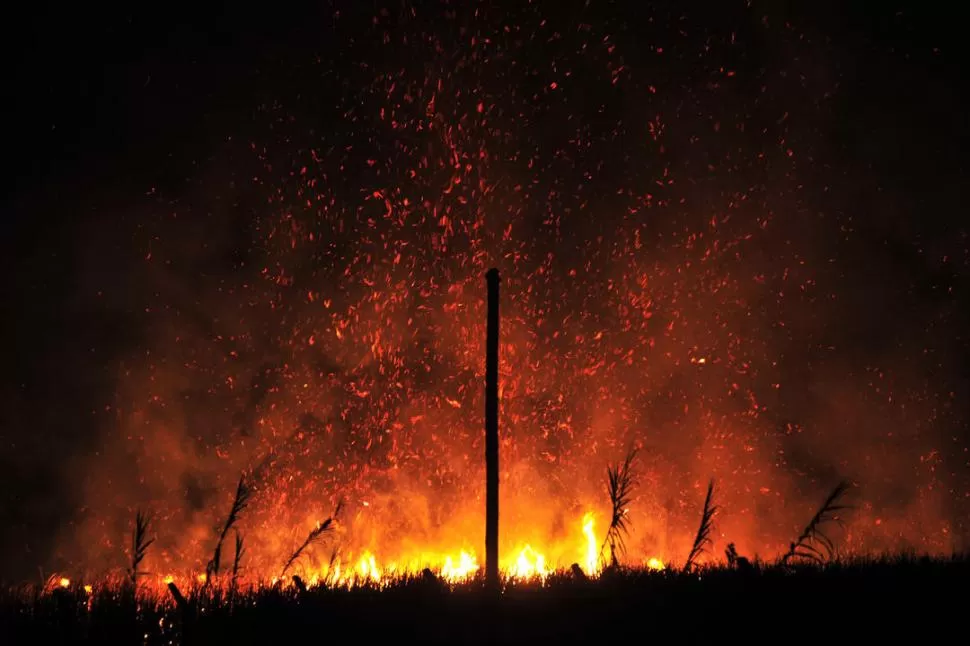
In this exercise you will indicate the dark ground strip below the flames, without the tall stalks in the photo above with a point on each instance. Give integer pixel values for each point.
(862, 598)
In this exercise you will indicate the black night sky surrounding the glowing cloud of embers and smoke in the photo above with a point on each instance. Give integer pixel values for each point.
(101, 106)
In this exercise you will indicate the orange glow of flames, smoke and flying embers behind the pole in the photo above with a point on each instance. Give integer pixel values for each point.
(677, 276)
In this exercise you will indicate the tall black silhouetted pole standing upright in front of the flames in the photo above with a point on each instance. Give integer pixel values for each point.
(491, 433)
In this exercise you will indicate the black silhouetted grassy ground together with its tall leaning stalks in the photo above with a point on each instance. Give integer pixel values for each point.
(742, 598)
